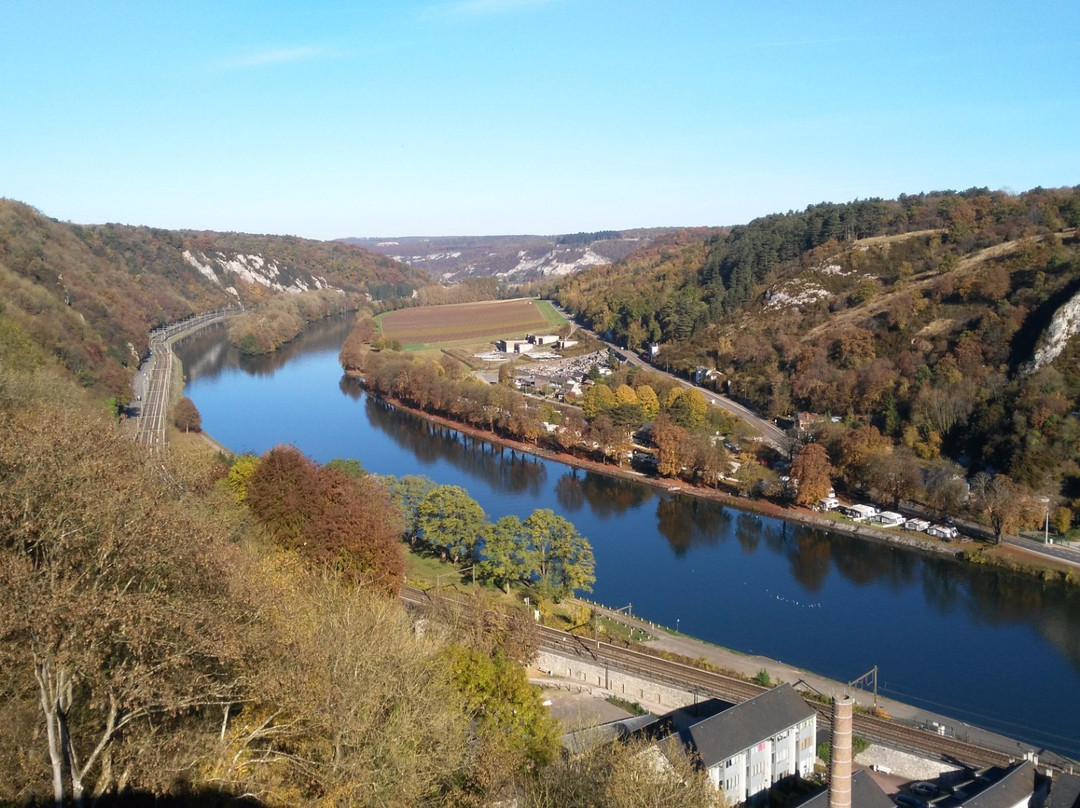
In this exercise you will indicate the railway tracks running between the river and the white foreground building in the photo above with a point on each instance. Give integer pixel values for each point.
(709, 684)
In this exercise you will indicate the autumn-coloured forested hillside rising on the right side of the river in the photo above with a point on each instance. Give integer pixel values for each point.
(920, 317)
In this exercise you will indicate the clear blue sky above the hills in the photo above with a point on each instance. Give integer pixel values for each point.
(488, 117)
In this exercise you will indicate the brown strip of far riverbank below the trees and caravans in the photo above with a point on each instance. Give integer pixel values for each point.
(1019, 560)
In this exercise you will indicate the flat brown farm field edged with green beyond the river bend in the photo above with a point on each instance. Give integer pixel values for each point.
(424, 327)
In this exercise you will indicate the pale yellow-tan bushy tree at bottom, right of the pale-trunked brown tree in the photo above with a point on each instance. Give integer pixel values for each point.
(340, 716)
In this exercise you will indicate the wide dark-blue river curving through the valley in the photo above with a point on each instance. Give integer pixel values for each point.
(982, 647)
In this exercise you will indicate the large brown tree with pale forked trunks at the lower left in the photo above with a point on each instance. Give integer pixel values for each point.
(117, 598)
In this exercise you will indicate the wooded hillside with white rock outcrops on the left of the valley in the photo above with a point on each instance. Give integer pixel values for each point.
(91, 294)
